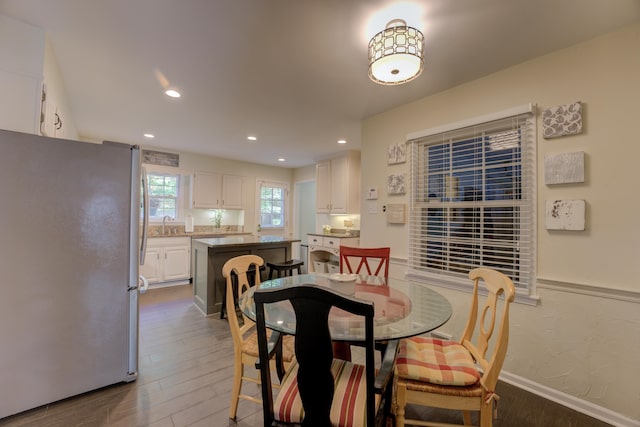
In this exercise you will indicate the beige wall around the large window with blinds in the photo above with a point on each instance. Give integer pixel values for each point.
(583, 338)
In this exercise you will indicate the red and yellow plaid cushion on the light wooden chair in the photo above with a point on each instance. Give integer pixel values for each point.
(436, 361)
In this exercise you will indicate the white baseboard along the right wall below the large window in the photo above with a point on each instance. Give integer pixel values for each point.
(572, 402)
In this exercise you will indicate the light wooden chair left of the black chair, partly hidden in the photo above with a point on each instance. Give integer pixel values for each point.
(243, 332)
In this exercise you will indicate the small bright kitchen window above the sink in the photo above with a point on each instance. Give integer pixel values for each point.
(164, 195)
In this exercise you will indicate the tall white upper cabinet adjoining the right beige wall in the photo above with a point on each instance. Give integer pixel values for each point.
(338, 184)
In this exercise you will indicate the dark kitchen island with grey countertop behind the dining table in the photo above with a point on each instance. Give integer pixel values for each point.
(209, 255)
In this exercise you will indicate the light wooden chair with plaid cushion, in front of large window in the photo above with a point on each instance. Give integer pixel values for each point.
(445, 374)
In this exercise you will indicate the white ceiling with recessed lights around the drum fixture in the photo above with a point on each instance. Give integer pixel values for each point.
(291, 72)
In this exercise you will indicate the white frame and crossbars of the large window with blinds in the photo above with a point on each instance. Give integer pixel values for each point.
(419, 200)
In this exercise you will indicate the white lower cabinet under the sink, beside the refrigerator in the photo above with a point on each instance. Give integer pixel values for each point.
(168, 259)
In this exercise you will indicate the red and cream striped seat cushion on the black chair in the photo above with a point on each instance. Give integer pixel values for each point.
(349, 400)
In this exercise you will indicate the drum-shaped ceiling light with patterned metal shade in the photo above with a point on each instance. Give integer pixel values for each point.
(396, 54)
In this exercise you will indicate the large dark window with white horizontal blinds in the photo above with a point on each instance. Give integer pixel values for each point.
(472, 201)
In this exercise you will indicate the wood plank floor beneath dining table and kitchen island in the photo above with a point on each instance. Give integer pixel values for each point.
(185, 378)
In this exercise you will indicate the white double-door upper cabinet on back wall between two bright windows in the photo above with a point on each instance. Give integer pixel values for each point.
(216, 191)
